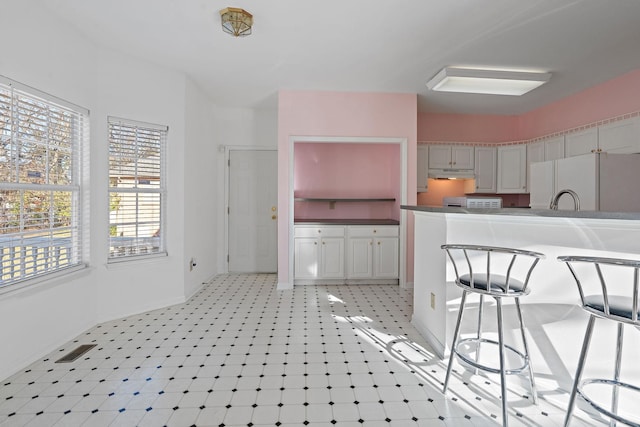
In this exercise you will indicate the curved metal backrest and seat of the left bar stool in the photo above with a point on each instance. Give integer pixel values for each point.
(495, 270)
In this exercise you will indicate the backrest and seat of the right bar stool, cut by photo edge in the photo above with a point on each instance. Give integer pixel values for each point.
(608, 287)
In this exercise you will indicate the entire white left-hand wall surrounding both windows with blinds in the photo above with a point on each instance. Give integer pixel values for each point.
(54, 59)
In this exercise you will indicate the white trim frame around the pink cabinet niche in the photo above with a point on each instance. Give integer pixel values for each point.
(402, 142)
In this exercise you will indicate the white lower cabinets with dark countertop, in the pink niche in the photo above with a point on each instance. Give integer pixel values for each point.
(369, 253)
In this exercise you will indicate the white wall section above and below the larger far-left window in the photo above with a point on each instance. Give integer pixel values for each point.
(38, 320)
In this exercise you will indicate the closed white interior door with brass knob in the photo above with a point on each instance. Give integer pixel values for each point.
(253, 191)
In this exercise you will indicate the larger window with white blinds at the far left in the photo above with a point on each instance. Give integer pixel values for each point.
(40, 142)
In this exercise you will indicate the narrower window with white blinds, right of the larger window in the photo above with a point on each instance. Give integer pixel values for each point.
(136, 189)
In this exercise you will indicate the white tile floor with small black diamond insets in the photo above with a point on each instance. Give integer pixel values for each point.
(242, 353)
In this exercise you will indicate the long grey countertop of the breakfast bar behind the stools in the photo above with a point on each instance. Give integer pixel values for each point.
(527, 212)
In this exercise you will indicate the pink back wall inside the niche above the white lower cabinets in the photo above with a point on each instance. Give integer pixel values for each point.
(331, 170)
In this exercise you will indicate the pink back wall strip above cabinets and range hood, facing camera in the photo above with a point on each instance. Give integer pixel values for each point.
(467, 127)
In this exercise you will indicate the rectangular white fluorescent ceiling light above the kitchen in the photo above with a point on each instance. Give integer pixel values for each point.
(494, 82)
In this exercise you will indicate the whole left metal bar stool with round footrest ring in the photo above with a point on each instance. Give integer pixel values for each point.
(489, 270)
